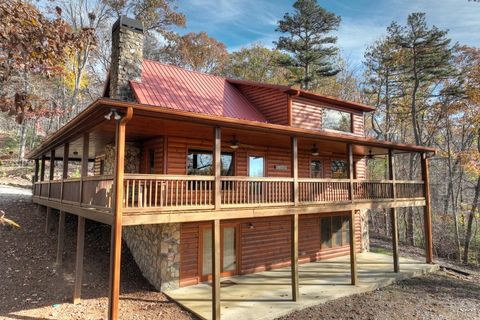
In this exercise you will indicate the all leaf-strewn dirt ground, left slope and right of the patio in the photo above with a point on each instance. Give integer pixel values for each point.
(31, 287)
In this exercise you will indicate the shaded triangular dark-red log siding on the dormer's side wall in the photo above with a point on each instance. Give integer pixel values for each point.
(270, 102)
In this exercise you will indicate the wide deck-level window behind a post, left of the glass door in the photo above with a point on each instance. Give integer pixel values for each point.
(200, 163)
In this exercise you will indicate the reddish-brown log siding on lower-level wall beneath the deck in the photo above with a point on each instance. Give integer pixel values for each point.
(264, 244)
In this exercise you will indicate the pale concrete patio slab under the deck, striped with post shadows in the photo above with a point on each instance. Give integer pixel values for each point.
(267, 295)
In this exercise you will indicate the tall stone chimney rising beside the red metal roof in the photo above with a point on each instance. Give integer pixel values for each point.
(126, 58)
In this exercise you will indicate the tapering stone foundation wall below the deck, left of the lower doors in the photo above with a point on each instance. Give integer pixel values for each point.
(156, 250)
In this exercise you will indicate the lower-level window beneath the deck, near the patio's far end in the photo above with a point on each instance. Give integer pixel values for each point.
(335, 231)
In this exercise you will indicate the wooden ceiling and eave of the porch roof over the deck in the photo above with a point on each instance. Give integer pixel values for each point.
(149, 121)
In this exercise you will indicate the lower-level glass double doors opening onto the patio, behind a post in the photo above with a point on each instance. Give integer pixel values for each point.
(229, 251)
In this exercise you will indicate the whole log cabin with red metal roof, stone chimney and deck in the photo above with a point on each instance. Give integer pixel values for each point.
(204, 177)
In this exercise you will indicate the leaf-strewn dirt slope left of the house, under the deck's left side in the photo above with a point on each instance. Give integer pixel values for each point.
(31, 287)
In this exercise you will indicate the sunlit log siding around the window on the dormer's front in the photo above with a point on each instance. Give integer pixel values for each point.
(307, 114)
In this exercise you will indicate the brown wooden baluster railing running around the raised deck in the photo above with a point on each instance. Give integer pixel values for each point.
(146, 192)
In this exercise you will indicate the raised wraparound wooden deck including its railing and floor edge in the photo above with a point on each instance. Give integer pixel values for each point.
(179, 198)
